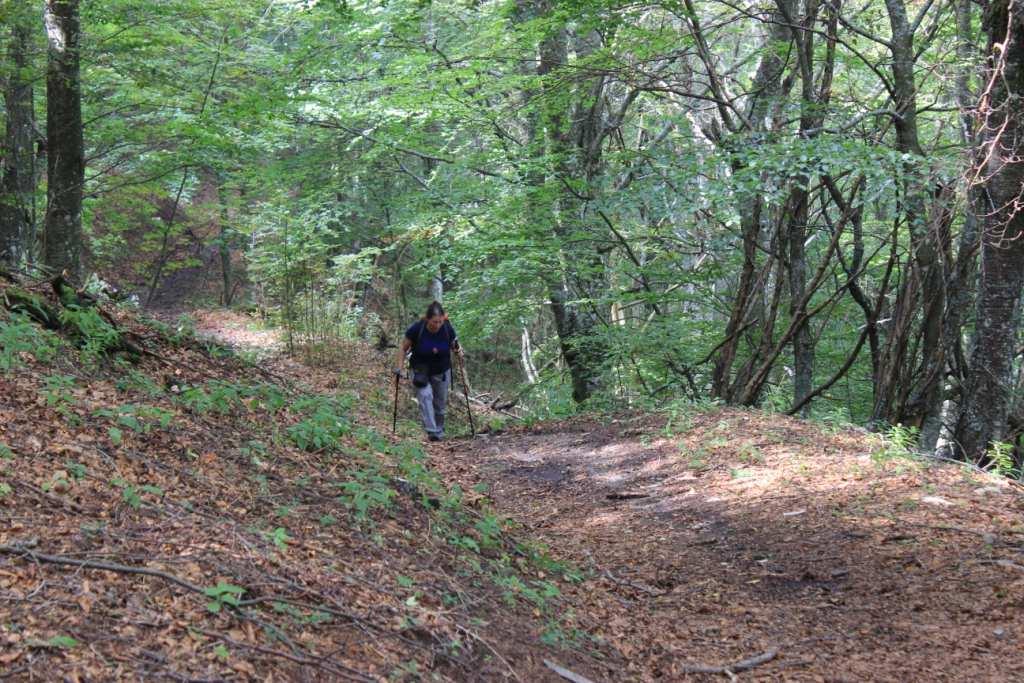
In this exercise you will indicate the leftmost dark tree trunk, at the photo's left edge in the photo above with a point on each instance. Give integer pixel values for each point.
(18, 176)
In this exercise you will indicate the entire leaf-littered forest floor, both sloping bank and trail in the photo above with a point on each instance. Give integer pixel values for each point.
(687, 545)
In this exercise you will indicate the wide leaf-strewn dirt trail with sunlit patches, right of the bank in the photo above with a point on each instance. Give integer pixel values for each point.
(748, 534)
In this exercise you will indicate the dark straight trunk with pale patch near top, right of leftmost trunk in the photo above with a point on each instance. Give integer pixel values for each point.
(66, 158)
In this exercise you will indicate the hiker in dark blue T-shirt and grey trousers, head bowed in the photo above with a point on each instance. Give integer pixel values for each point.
(432, 340)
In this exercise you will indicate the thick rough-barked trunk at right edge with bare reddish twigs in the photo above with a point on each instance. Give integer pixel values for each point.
(988, 396)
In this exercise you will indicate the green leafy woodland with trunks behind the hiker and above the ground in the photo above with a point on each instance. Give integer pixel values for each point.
(810, 206)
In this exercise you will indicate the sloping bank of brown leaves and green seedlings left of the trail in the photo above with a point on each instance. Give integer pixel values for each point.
(173, 514)
